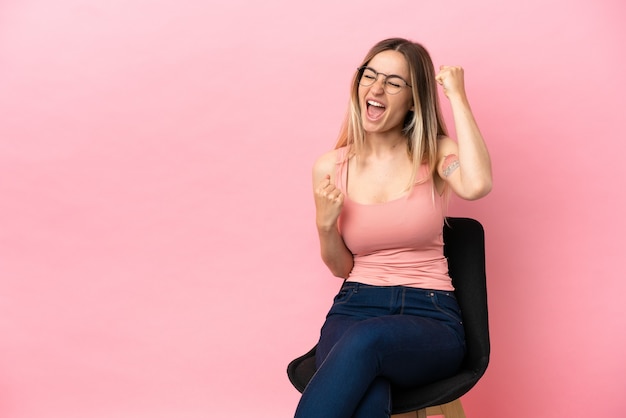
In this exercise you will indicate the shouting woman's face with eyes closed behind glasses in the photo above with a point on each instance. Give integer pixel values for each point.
(382, 112)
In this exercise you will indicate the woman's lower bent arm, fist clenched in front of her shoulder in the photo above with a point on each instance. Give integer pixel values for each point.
(328, 204)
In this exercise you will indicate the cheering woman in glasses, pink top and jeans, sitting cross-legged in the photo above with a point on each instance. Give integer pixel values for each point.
(380, 202)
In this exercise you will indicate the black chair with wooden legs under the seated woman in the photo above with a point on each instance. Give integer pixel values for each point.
(465, 249)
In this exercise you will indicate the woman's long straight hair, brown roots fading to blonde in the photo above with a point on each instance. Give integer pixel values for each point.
(422, 126)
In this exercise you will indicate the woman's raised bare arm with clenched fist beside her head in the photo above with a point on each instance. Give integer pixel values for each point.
(465, 164)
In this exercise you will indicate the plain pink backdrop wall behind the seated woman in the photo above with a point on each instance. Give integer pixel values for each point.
(158, 250)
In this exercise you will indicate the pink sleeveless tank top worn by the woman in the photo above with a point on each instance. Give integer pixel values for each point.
(399, 242)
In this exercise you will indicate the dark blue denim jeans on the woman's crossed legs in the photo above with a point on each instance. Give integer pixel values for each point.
(378, 337)
